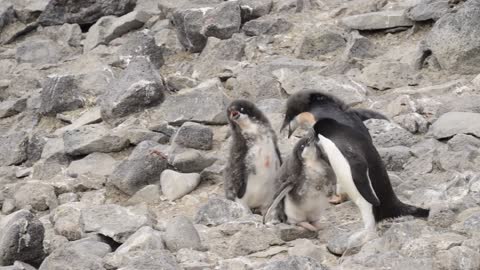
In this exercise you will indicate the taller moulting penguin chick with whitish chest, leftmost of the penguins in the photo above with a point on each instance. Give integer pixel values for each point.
(254, 157)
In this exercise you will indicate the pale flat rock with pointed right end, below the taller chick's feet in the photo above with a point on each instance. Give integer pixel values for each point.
(250, 240)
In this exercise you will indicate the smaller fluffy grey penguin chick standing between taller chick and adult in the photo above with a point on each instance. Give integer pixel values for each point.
(302, 186)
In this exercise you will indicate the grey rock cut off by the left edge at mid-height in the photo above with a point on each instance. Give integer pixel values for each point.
(14, 148)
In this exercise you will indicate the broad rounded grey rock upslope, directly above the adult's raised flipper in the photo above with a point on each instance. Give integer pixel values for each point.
(386, 75)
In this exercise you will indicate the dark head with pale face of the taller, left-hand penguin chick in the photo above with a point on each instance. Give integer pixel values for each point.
(245, 115)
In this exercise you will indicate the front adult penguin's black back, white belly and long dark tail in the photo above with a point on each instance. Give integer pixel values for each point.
(361, 172)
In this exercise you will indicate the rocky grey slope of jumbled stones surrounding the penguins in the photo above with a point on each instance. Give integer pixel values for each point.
(113, 133)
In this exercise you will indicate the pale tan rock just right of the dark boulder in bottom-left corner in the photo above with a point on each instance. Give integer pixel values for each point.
(67, 220)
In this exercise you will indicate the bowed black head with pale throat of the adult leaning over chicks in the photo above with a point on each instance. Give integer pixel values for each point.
(301, 108)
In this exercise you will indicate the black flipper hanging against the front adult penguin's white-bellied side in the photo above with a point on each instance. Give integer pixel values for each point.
(361, 178)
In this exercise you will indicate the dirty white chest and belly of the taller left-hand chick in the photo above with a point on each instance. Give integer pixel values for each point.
(263, 164)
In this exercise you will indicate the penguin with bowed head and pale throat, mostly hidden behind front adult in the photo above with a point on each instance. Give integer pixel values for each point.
(304, 108)
